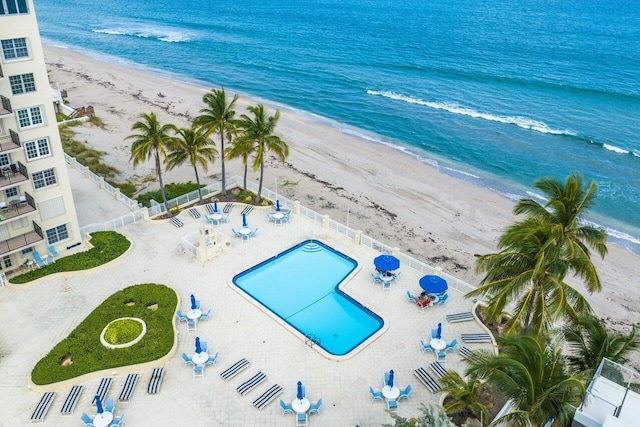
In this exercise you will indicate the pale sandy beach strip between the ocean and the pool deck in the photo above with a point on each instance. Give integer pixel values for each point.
(389, 195)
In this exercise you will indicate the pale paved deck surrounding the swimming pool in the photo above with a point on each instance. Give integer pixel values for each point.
(38, 317)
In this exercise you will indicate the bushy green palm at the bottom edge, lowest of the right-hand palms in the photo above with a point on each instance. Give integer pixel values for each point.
(532, 372)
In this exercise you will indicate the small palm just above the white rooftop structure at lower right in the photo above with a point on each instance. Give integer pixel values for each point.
(589, 341)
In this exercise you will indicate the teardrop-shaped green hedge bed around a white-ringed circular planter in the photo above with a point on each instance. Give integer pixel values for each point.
(81, 352)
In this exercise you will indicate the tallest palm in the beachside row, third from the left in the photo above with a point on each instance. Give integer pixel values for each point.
(218, 116)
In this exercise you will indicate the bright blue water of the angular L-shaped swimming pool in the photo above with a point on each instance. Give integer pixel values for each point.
(300, 285)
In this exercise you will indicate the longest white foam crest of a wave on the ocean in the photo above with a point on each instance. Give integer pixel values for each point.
(454, 108)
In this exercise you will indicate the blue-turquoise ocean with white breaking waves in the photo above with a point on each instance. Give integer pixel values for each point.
(496, 93)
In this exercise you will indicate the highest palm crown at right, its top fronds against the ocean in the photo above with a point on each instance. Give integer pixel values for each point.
(564, 211)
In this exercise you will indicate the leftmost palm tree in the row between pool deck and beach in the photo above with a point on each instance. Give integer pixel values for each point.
(151, 140)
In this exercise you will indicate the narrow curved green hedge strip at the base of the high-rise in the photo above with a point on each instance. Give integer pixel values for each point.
(107, 246)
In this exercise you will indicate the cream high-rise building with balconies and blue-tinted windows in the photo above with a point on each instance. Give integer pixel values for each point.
(36, 204)
